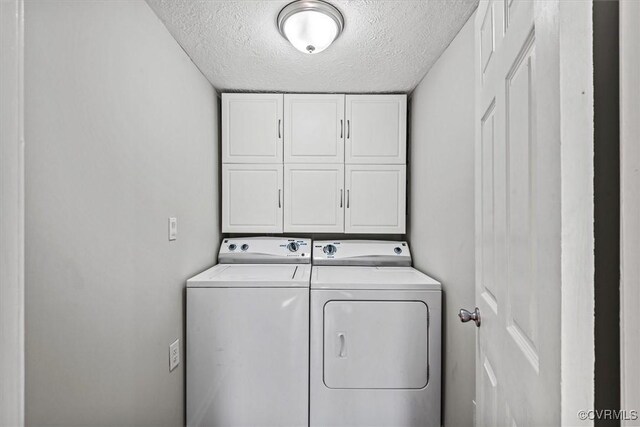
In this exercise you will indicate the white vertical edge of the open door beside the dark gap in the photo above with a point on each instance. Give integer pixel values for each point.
(577, 352)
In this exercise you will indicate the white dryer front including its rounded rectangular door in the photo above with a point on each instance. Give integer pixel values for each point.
(375, 358)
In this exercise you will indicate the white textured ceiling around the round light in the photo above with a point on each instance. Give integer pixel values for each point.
(386, 46)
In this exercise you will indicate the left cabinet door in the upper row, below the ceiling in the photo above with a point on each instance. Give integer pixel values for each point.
(252, 128)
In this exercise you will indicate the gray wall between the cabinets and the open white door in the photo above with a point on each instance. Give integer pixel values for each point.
(441, 210)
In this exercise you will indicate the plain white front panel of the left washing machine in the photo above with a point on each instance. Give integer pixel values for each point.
(247, 356)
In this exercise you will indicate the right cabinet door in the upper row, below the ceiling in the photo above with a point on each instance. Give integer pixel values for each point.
(376, 129)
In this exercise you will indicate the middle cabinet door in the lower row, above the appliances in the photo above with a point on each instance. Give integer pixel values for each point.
(314, 198)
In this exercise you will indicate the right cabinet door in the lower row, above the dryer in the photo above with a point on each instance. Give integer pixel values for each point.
(375, 199)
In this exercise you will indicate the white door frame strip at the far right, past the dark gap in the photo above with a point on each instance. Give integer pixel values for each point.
(629, 14)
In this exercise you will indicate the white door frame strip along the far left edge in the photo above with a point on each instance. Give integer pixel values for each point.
(12, 213)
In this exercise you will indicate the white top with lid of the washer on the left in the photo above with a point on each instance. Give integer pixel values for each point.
(253, 276)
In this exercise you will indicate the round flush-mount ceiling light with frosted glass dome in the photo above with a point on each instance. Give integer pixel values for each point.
(310, 25)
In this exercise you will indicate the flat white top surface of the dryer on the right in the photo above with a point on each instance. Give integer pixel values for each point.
(381, 278)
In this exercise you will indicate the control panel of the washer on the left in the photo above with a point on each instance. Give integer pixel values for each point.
(264, 250)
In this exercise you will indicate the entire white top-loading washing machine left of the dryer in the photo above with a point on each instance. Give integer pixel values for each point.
(248, 335)
